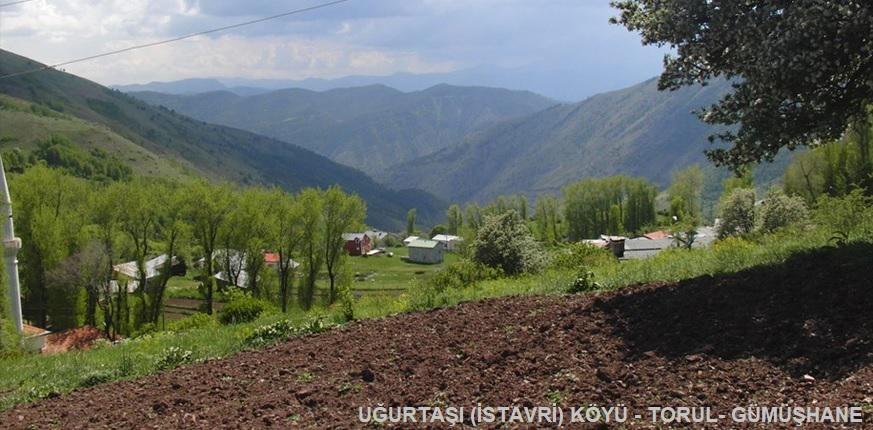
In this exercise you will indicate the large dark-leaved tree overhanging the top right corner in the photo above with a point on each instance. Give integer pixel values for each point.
(800, 69)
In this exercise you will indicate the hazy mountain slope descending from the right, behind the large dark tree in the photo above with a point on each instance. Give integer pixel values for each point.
(637, 131)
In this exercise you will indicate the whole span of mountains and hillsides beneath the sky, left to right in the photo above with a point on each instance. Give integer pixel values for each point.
(456, 144)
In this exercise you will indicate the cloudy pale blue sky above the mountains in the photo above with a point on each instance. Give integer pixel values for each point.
(360, 37)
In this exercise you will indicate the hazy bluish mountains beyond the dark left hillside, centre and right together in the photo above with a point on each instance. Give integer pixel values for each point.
(472, 143)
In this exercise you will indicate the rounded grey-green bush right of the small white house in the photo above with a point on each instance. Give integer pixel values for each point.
(504, 242)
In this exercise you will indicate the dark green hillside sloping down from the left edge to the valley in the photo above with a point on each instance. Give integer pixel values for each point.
(159, 141)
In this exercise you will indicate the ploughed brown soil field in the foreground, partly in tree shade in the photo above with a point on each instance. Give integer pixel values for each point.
(756, 336)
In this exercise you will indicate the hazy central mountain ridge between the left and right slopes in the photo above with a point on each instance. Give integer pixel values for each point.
(371, 128)
